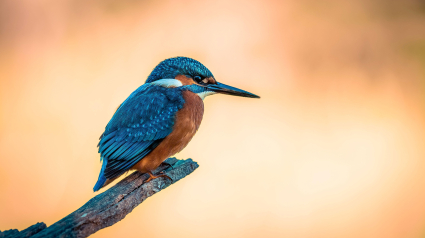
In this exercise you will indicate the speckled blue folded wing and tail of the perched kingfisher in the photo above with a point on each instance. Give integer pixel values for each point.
(142, 121)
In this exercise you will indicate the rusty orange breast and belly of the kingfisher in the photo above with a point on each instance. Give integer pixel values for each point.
(188, 120)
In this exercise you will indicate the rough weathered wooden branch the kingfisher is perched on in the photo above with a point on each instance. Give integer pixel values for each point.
(110, 206)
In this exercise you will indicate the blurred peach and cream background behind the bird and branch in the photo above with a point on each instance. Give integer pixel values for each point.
(334, 148)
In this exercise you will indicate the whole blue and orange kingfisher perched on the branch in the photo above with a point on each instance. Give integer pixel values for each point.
(158, 119)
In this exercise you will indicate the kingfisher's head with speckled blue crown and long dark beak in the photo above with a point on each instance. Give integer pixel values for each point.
(191, 74)
